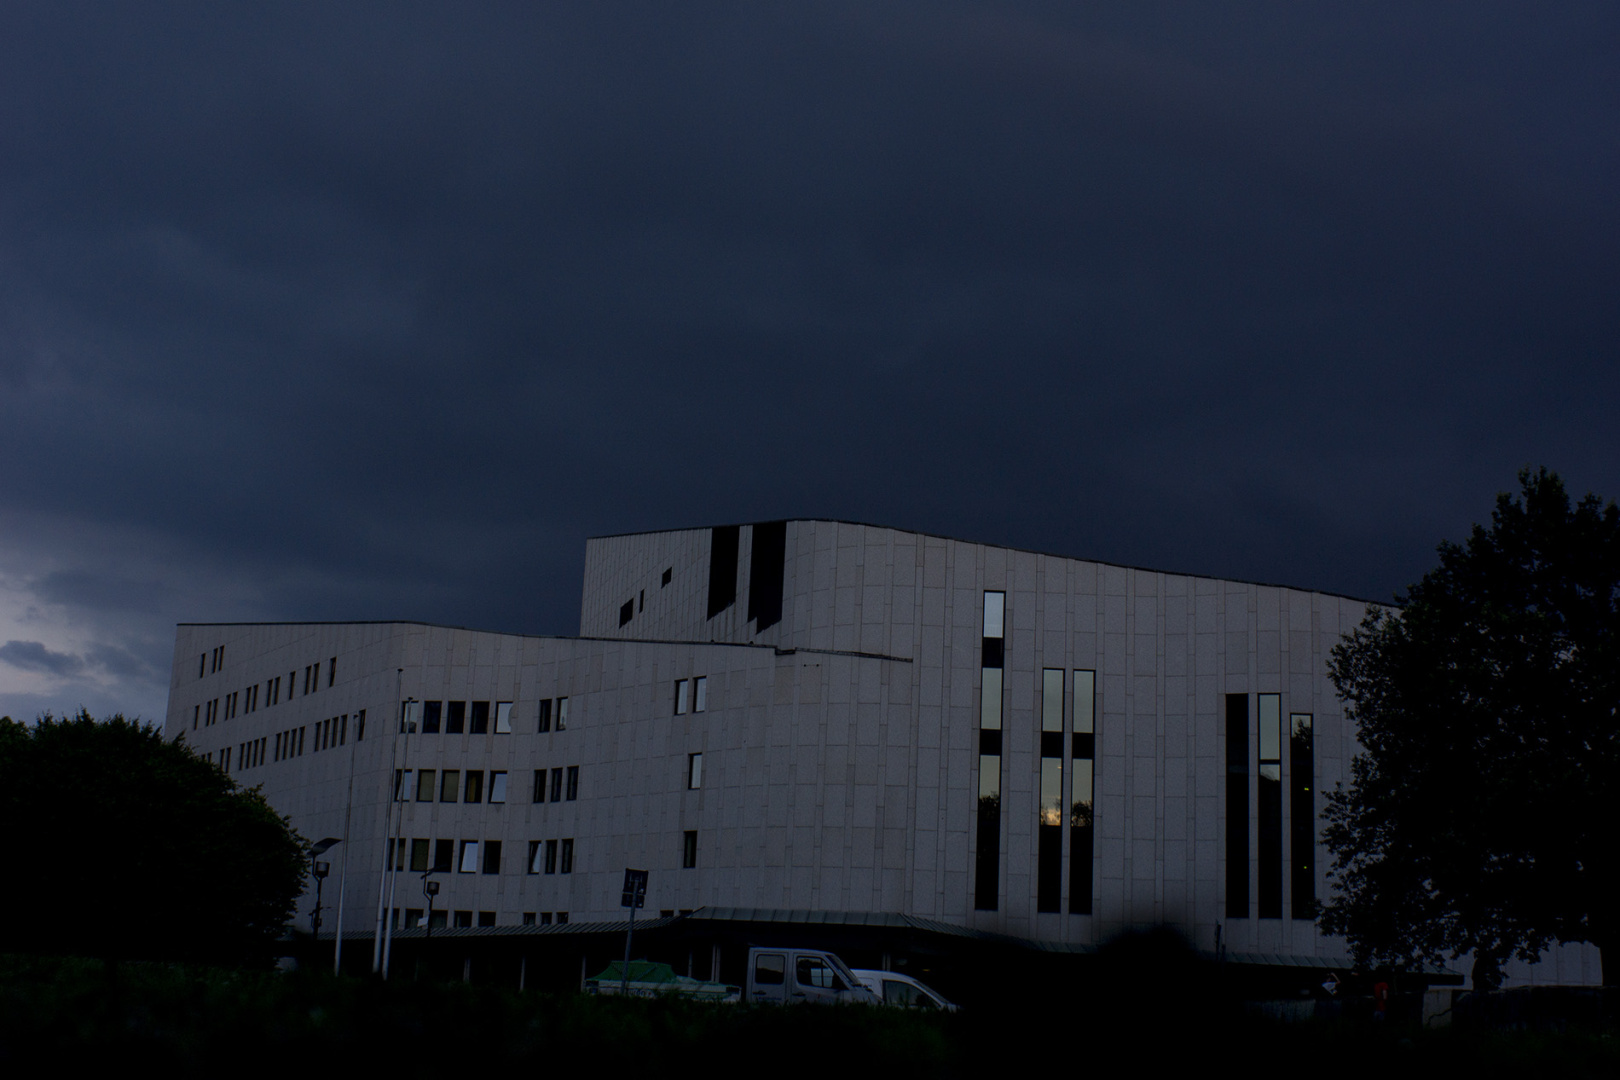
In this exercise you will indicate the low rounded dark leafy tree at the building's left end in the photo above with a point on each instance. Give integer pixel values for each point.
(132, 848)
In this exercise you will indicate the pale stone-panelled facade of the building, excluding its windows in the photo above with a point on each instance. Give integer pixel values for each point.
(840, 744)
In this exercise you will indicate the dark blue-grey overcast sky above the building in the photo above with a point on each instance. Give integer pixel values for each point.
(372, 312)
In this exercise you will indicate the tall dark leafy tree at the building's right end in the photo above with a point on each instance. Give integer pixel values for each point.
(1481, 815)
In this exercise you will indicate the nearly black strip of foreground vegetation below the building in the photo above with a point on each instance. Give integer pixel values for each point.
(192, 1021)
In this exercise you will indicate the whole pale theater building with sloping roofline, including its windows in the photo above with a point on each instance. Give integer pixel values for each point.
(812, 728)
